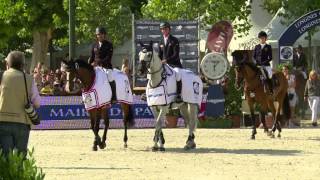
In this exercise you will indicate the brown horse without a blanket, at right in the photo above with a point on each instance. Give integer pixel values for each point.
(255, 93)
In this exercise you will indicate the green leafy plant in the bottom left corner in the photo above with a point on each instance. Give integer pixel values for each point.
(15, 167)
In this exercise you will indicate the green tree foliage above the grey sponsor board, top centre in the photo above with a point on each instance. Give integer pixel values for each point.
(209, 11)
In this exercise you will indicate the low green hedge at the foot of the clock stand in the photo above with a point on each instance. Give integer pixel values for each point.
(219, 122)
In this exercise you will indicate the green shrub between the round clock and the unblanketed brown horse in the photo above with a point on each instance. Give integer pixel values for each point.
(233, 99)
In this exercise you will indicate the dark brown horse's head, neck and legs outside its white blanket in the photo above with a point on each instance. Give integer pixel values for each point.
(86, 74)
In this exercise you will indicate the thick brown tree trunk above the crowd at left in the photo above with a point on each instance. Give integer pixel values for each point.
(40, 47)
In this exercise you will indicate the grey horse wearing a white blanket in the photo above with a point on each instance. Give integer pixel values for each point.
(158, 77)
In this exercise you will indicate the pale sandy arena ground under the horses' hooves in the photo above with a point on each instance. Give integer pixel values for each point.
(220, 154)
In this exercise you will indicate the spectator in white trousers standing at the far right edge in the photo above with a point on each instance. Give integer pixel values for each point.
(312, 93)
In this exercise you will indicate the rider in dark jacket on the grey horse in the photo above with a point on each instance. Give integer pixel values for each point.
(169, 54)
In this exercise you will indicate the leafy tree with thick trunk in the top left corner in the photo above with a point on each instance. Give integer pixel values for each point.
(32, 18)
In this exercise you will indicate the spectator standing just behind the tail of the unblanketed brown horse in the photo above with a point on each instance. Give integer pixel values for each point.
(293, 98)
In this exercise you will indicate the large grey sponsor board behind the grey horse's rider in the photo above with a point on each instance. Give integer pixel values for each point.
(185, 31)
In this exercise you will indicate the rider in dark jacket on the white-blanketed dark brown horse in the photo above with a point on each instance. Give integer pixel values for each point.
(101, 54)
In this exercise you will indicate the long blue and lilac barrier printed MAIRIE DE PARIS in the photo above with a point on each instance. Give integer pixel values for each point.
(68, 112)
